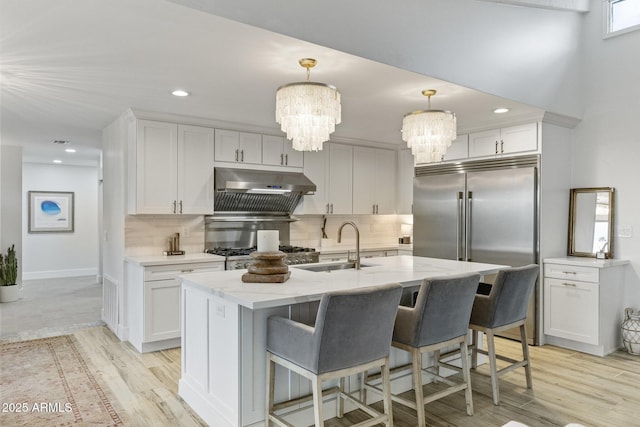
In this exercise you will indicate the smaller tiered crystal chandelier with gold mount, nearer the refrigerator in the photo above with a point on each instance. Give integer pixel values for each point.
(428, 132)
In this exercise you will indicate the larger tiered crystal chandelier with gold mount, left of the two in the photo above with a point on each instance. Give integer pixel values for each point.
(308, 112)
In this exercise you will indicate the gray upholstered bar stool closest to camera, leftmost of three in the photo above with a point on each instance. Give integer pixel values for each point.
(352, 334)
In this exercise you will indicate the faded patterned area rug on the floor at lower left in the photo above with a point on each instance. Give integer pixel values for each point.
(47, 382)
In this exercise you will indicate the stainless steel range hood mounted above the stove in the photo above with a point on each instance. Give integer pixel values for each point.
(240, 191)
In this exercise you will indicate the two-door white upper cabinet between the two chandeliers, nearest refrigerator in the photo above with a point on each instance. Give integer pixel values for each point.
(374, 181)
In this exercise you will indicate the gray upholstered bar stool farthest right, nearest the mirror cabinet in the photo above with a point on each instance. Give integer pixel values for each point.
(504, 307)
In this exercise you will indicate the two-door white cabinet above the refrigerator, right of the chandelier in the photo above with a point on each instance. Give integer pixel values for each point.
(508, 140)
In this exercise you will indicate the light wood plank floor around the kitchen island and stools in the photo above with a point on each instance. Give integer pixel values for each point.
(568, 387)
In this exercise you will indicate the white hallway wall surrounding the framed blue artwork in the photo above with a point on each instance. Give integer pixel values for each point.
(47, 255)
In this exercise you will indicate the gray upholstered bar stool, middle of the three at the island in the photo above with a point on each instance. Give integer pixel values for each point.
(438, 321)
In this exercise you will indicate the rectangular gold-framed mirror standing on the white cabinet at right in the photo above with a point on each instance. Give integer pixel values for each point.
(591, 222)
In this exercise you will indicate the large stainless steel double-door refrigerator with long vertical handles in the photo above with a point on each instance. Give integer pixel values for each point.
(481, 211)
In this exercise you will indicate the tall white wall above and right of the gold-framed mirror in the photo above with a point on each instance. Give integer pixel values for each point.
(607, 142)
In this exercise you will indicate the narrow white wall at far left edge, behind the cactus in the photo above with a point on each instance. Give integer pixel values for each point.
(11, 201)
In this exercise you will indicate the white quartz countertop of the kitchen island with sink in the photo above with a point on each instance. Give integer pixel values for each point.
(305, 286)
